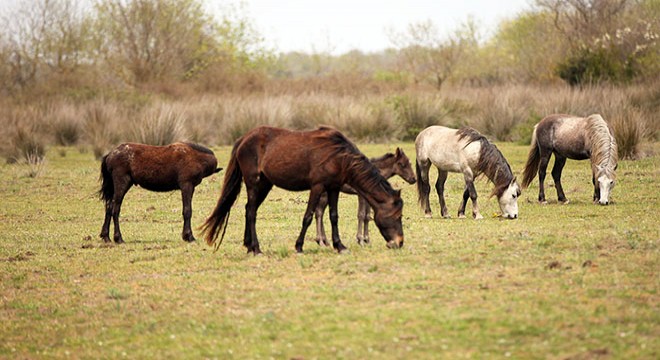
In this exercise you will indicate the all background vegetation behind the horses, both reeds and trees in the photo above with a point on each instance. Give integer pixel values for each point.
(92, 74)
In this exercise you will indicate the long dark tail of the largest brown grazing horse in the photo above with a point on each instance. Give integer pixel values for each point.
(230, 190)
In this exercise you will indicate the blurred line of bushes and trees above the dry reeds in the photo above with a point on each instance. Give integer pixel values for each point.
(84, 47)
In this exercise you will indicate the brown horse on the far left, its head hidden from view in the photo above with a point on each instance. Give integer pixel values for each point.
(156, 168)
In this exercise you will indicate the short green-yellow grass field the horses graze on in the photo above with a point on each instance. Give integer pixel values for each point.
(574, 281)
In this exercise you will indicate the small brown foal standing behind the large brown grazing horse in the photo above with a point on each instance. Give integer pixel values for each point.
(388, 165)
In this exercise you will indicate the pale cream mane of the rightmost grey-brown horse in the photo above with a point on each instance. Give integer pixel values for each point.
(604, 151)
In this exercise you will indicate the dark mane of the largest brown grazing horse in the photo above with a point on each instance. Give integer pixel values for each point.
(338, 146)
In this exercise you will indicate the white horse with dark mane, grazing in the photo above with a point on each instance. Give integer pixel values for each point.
(468, 152)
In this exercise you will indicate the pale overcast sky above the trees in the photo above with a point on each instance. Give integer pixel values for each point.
(342, 25)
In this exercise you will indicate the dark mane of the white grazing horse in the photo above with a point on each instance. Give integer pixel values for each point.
(491, 161)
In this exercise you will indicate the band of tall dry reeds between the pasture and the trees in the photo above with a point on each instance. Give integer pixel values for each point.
(503, 113)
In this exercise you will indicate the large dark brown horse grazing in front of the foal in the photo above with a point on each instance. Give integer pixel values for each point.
(321, 161)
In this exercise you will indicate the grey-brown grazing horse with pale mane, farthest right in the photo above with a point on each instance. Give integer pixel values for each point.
(571, 137)
